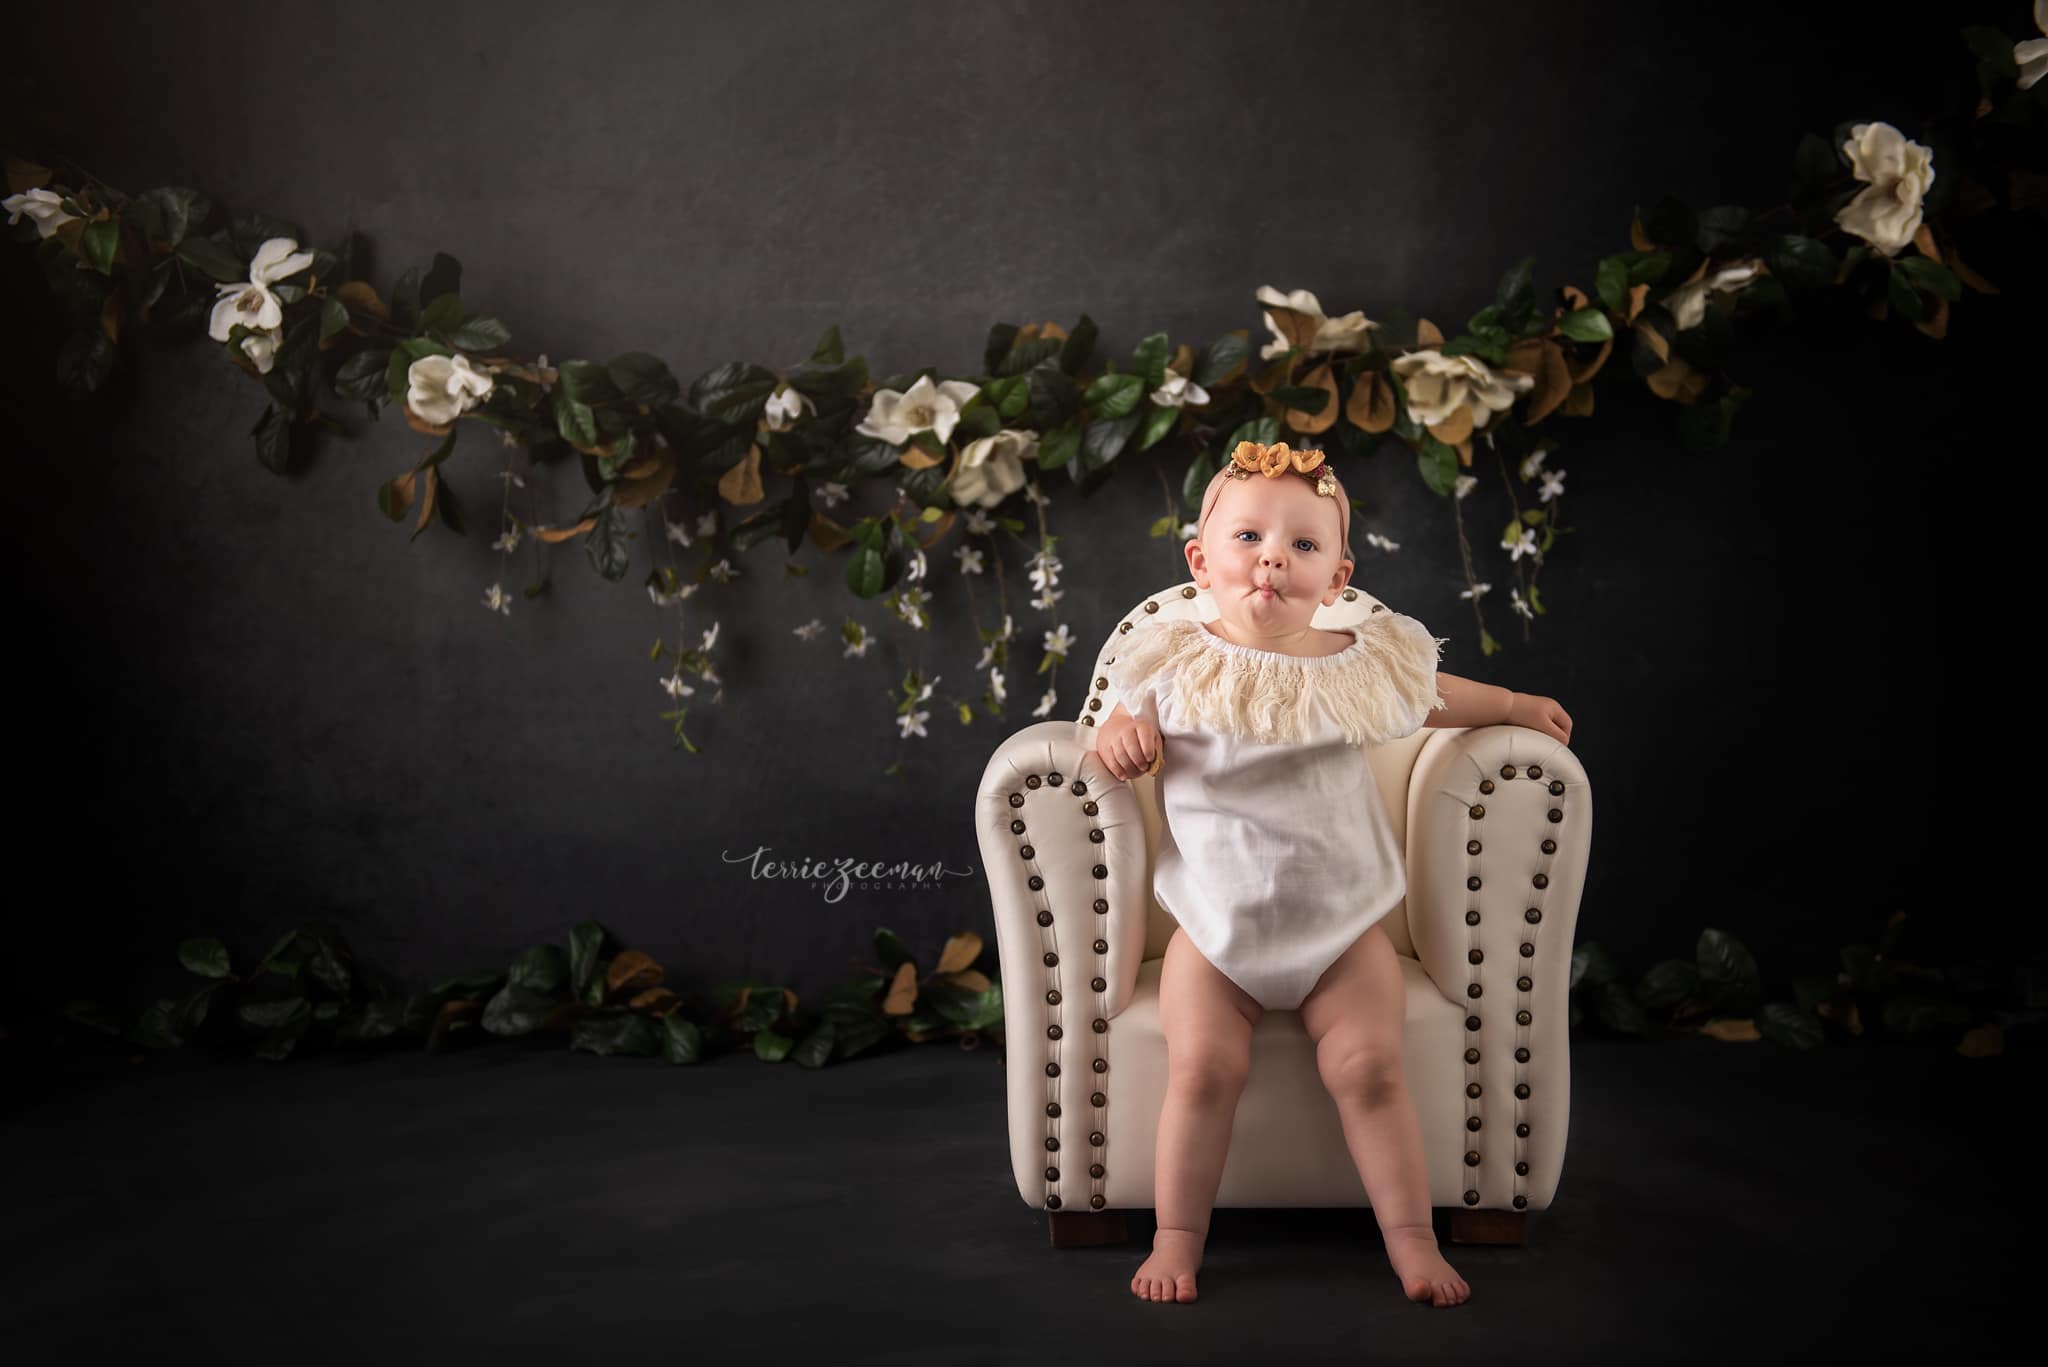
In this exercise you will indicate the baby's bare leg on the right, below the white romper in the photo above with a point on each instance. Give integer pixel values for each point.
(1355, 1018)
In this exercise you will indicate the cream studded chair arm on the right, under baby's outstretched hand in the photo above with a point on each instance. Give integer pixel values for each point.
(1523, 800)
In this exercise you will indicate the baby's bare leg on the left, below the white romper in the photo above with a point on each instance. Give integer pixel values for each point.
(1207, 1024)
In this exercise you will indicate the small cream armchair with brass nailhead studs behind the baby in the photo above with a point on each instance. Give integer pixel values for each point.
(1496, 825)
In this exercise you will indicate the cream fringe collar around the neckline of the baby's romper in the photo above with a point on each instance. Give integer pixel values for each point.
(1375, 690)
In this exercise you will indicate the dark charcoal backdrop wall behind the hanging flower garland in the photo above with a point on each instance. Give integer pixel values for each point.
(251, 700)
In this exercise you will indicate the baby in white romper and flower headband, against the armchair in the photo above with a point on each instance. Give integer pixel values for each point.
(1277, 858)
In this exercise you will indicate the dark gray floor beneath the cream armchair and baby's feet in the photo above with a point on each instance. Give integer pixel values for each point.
(521, 1204)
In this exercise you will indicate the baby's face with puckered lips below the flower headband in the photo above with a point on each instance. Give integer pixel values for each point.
(1269, 554)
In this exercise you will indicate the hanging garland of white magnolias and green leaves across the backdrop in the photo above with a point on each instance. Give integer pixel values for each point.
(968, 448)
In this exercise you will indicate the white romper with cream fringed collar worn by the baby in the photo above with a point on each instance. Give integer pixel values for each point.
(1275, 850)
